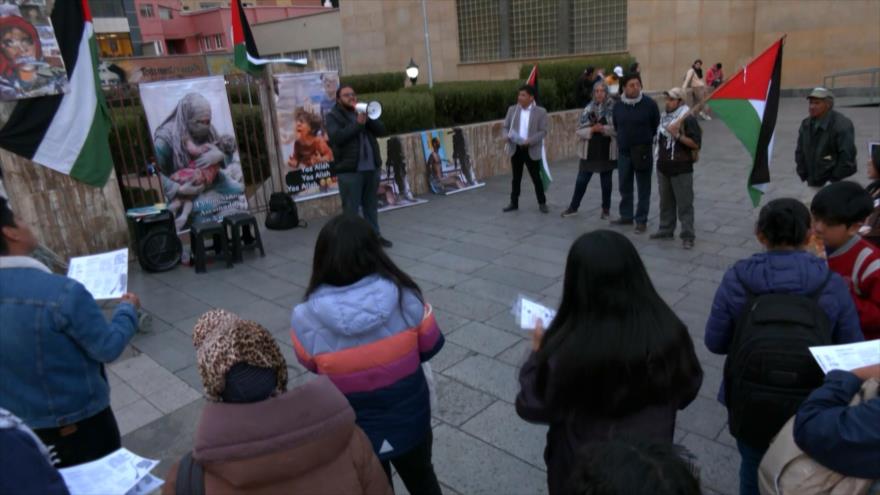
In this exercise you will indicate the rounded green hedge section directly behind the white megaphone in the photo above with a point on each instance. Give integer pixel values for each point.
(404, 111)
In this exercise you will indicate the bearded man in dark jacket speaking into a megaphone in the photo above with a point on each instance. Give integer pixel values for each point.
(357, 161)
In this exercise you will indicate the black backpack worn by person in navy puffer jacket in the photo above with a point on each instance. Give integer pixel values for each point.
(769, 371)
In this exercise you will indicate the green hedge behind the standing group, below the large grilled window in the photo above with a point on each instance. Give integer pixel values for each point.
(567, 72)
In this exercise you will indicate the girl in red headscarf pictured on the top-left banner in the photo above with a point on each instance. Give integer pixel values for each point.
(23, 72)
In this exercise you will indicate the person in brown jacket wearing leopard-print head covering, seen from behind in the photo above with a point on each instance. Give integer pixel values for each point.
(254, 437)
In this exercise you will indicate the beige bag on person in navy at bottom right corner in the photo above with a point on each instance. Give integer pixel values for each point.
(787, 469)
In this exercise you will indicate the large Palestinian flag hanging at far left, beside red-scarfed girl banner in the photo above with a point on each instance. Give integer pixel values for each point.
(67, 132)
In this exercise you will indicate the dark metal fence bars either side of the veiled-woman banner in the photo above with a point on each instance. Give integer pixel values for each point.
(133, 153)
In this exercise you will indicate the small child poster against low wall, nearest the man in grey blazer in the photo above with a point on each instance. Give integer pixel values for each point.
(448, 174)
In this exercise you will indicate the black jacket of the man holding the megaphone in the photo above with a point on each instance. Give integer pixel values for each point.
(345, 139)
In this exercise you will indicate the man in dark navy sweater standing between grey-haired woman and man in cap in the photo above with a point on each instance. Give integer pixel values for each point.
(636, 118)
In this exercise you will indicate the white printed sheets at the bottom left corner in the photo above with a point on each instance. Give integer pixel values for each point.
(114, 474)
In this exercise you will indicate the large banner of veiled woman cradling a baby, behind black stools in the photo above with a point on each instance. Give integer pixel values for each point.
(196, 152)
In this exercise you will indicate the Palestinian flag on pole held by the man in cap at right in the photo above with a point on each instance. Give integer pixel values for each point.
(748, 103)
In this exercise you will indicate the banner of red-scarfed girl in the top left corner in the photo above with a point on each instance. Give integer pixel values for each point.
(30, 60)
